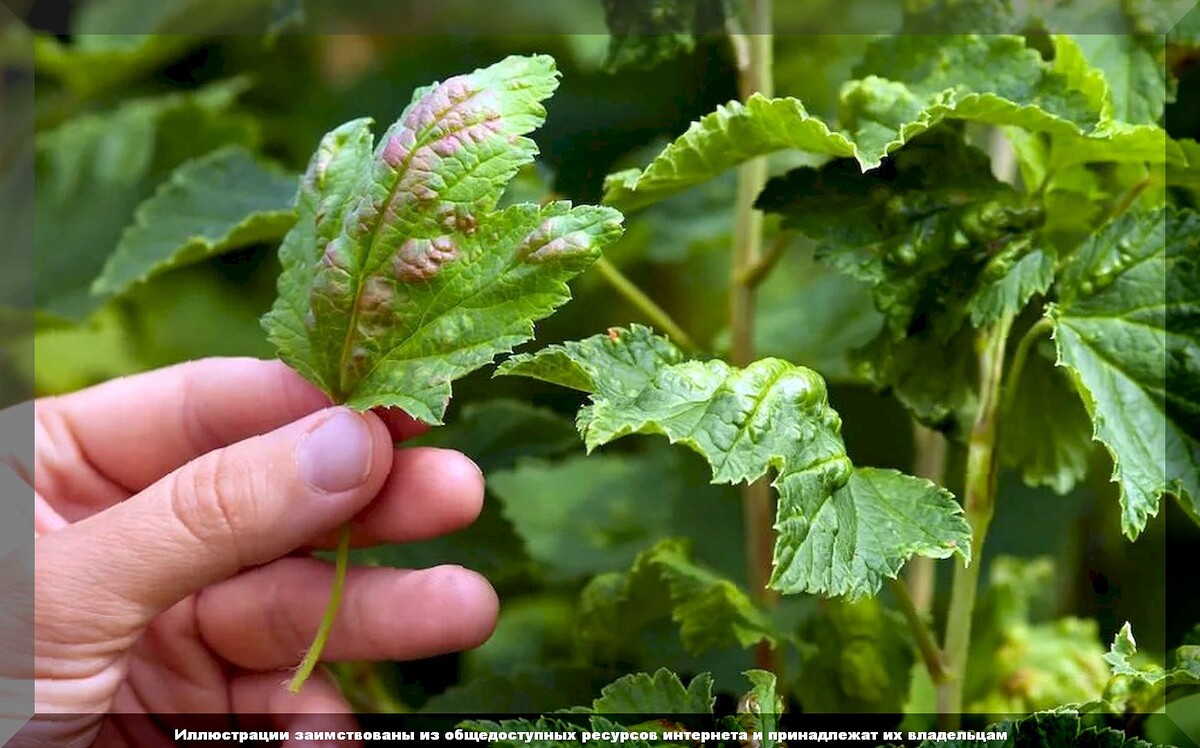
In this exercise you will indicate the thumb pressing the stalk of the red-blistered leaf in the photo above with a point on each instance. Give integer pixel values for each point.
(236, 507)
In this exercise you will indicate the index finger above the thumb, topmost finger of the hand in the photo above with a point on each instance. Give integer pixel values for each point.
(137, 429)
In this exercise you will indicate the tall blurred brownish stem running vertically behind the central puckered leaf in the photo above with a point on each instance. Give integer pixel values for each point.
(755, 76)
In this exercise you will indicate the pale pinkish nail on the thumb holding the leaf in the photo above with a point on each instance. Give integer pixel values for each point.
(337, 457)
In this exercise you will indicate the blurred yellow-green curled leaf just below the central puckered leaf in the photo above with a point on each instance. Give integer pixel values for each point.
(712, 612)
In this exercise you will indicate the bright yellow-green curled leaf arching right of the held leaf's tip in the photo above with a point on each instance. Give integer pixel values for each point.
(721, 141)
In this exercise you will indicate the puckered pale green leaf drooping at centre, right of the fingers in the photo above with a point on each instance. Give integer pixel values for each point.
(841, 531)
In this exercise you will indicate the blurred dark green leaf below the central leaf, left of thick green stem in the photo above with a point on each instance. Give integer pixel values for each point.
(861, 661)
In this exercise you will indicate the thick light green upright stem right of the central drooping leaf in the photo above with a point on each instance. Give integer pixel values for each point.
(979, 504)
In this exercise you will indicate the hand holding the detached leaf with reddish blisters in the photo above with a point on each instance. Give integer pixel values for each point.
(175, 517)
